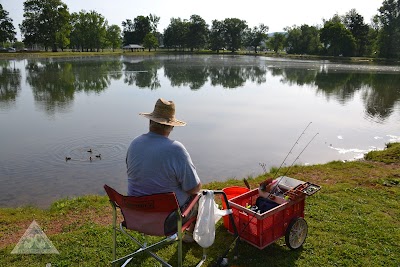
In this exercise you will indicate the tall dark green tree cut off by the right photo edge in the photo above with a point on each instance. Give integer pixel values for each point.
(389, 35)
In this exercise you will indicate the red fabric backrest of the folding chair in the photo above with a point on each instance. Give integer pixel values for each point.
(145, 214)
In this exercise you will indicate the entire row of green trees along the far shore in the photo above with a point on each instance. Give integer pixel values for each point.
(49, 24)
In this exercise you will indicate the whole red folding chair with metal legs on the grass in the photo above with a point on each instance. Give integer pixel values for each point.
(147, 215)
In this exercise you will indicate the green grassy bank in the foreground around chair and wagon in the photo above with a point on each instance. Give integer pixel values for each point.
(353, 221)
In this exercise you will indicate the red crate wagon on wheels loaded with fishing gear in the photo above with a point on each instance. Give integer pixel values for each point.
(286, 219)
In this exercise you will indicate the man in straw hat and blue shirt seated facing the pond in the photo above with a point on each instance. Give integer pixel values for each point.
(157, 164)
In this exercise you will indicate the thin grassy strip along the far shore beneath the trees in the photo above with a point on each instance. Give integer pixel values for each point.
(119, 52)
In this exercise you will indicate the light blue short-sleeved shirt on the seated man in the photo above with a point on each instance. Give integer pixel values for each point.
(157, 164)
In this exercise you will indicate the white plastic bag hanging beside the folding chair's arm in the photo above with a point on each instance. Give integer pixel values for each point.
(208, 214)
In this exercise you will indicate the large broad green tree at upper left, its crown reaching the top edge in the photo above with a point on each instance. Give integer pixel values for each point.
(45, 23)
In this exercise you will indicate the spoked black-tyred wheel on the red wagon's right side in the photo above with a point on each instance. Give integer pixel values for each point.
(296, 233)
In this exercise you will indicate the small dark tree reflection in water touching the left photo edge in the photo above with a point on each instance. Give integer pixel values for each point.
(10, 83)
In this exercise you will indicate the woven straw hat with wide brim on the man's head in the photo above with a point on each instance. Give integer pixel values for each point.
(164, 113)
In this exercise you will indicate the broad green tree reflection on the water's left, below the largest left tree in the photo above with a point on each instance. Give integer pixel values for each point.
(54, 83)
